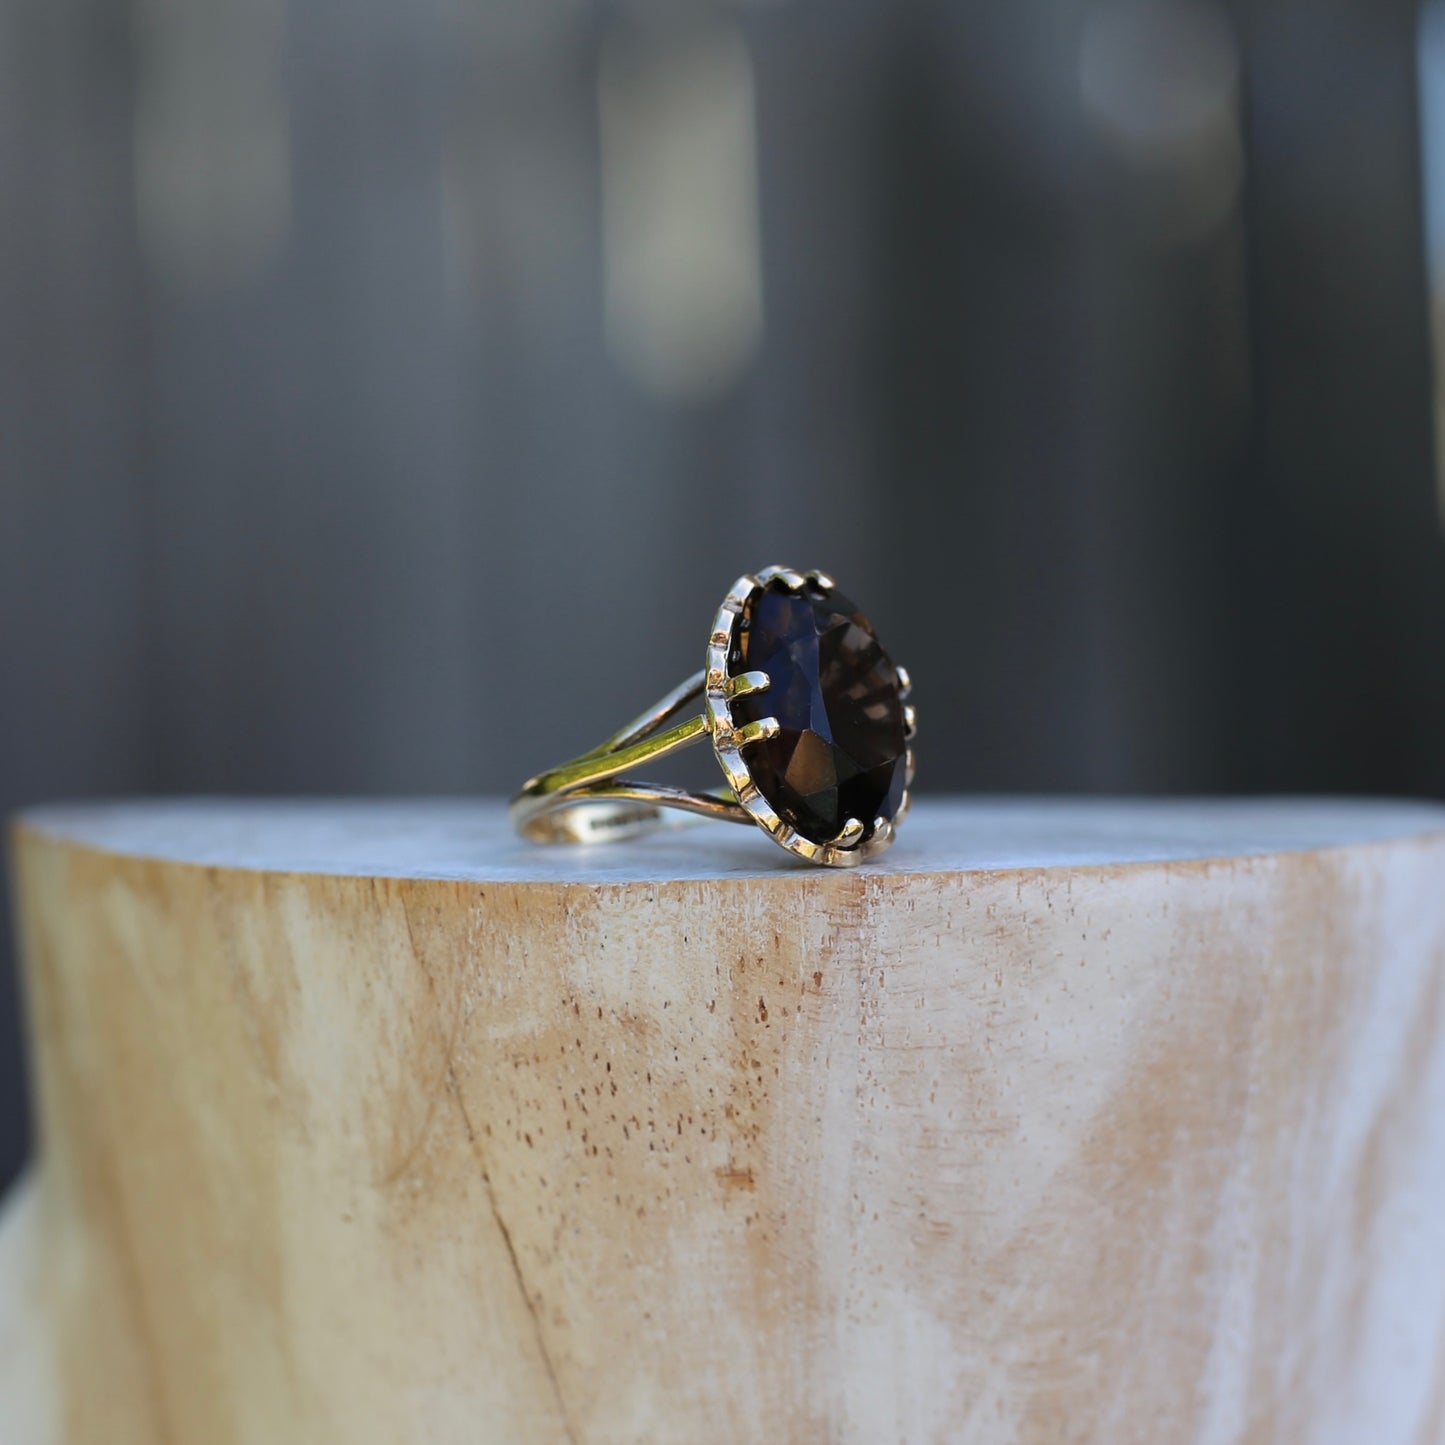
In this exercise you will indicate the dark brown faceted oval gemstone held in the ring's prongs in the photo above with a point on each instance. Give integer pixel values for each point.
(836, 696)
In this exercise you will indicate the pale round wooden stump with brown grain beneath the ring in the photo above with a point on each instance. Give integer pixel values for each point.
(1069, 1122)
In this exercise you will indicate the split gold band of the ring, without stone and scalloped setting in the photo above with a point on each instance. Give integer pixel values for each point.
(586, 801)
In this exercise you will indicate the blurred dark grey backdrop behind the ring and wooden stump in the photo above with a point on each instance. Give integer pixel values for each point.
(352, 353)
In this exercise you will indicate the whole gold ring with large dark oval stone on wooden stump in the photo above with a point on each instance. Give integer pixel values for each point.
(807, 716)
